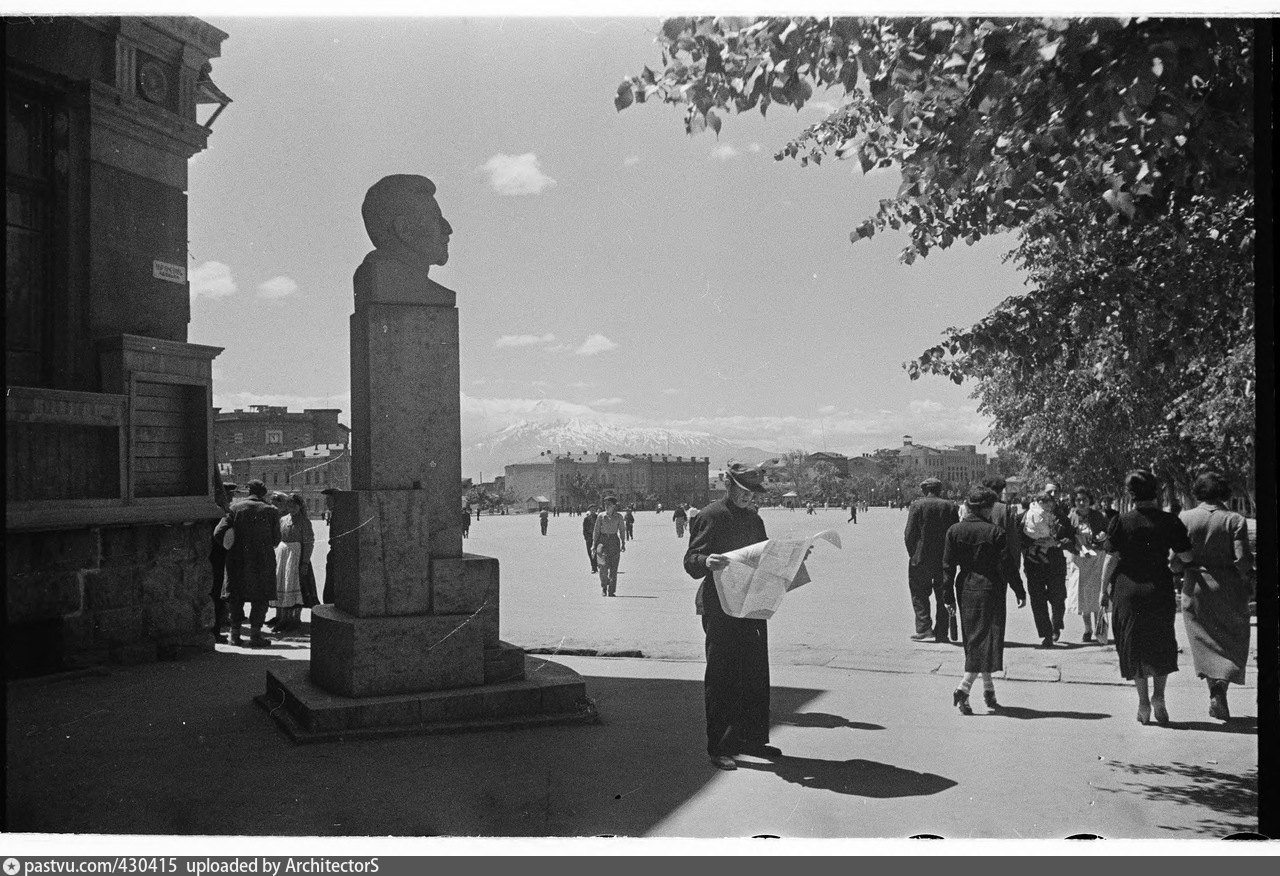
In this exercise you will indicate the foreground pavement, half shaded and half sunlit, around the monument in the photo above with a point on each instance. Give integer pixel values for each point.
(180, 749)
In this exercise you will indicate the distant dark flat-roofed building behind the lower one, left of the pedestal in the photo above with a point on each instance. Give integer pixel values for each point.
(267, 430)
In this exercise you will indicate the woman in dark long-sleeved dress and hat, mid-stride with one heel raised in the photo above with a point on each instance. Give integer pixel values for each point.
(973, 558)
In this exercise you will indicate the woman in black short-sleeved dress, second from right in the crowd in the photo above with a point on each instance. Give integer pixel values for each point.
(1139, 582)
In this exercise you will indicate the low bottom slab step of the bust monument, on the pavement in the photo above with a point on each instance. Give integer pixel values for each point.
(548, 693)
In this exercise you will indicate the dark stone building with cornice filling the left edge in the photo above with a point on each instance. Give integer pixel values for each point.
(109, 504)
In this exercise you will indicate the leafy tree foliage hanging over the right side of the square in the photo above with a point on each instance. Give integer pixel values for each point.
(1119, 150)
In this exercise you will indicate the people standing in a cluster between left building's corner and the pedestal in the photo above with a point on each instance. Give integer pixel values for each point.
(262, 556)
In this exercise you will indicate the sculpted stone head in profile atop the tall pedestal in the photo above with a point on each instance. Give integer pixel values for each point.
(405, 222)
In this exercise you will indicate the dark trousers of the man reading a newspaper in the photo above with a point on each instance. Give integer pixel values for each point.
(737, 683)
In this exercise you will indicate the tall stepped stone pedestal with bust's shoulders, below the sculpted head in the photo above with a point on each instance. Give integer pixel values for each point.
(412, 642)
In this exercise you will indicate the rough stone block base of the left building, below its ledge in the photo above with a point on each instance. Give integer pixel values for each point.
(113, 595)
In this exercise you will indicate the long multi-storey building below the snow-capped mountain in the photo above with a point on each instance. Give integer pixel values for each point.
(637, 480)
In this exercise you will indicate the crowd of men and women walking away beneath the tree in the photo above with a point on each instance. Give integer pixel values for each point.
(1126, 576)
